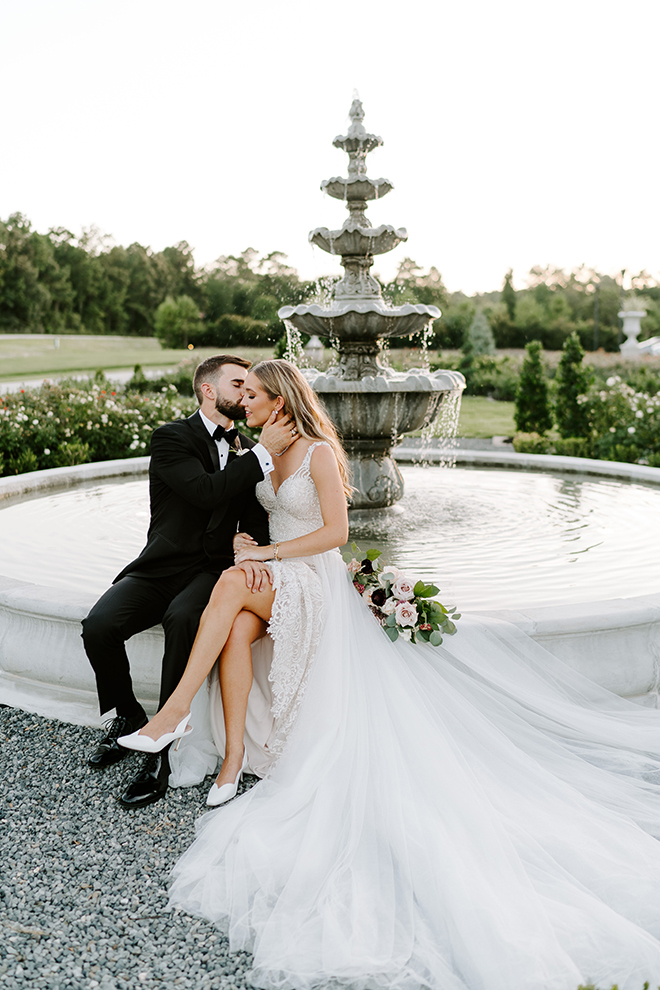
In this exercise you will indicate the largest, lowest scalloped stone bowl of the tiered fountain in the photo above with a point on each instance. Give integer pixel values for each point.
(372, 412)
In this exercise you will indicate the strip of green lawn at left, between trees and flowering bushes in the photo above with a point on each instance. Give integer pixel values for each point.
(29, 356)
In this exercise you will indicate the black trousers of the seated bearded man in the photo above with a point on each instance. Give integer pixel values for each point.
(131, 605)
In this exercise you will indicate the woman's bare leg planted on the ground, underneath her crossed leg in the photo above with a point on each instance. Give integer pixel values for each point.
(235, 682)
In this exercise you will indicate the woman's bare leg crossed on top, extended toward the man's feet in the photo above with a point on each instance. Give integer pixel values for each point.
(229, 597)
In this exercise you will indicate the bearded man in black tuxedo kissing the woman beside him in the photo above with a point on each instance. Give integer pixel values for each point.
(201, 492)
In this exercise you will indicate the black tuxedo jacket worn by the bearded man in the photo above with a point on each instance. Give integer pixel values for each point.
(195, 507)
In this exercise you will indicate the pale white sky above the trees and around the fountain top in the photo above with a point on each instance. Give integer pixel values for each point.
(516, 133)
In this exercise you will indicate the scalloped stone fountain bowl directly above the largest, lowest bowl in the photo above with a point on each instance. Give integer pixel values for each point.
(360, 320)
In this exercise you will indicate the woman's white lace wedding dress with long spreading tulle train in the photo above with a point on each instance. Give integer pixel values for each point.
(472, 816)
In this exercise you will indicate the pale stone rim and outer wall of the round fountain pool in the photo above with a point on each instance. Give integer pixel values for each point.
(592, 636)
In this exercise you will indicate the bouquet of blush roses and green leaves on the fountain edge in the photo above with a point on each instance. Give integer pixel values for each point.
(404, 607)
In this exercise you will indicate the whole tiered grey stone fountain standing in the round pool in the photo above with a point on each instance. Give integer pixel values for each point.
(371, 405)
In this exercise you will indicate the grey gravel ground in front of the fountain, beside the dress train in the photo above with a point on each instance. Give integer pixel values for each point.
(83, 882)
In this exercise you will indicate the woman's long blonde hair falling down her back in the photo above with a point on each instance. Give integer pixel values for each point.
(279, 377)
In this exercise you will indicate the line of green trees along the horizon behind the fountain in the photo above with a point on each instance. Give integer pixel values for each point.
(59, 283)
